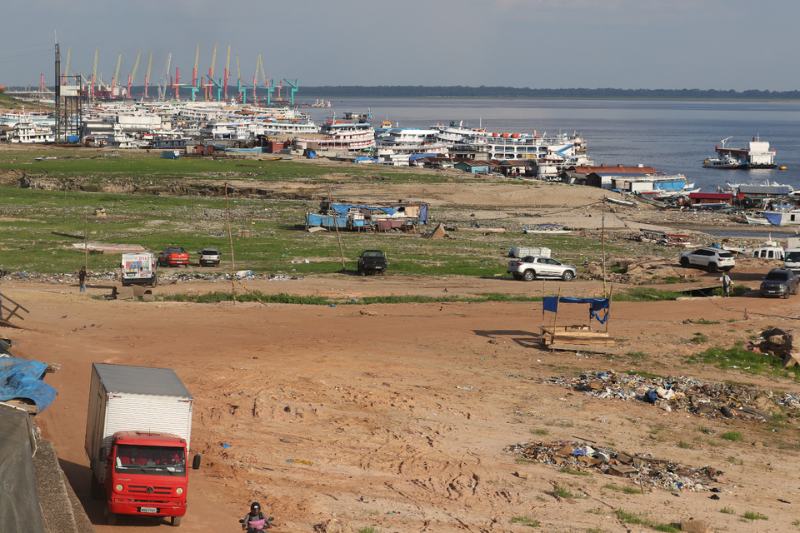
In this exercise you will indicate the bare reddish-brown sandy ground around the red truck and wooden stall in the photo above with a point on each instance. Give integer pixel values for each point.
(396, 416)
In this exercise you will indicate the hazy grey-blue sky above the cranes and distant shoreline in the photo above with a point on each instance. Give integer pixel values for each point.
(706, 44)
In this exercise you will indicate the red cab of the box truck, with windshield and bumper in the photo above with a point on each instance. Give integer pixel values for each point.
(146, 474)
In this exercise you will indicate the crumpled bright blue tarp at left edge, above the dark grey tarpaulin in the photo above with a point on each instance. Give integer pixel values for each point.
(22, 379)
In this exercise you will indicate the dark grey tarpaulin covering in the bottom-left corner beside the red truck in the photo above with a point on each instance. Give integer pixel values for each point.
(19, 500)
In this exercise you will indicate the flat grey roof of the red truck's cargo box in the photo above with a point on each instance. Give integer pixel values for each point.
(141, 380)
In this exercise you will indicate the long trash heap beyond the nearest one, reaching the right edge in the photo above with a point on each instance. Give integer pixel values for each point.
(713, 400)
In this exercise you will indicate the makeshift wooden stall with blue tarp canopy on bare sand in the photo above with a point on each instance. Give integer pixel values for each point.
(576, 336)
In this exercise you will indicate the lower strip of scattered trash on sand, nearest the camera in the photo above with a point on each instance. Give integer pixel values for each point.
(645, 470)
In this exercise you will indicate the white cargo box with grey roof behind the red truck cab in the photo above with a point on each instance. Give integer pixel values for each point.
(134, 398)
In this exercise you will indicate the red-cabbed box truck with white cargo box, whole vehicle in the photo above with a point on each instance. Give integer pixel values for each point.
(137, 440)
